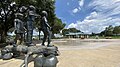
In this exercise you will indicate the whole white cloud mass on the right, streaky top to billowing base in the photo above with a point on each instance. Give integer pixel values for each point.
(103, 16)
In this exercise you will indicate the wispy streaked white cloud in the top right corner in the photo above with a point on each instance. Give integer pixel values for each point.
(110, 7)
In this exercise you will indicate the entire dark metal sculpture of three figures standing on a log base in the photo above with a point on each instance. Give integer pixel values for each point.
(45, 55)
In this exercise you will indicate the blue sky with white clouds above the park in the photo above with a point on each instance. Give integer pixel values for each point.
(88, 15)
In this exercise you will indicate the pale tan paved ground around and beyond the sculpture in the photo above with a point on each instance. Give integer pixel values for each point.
(82, 53)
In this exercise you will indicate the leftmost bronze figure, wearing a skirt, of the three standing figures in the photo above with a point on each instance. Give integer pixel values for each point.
(19, 28)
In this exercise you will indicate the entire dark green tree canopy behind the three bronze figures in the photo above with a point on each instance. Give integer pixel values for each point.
(8, 8)
